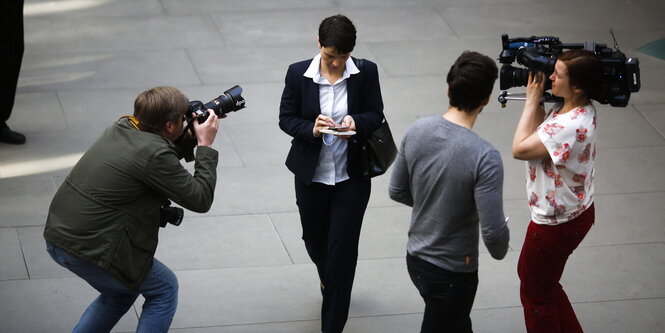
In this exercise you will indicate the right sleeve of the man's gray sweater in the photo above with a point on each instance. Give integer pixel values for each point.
(489, 201)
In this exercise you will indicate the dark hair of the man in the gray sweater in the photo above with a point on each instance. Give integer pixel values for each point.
(470, 80)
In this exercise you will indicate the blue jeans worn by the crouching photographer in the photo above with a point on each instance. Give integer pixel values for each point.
(160, 290)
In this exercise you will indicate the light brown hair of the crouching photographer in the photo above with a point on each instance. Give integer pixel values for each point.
(155, 107)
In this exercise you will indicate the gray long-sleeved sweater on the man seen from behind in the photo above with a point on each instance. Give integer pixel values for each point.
(453, 179)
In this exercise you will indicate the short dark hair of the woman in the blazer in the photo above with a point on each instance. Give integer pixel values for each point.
(338, 31)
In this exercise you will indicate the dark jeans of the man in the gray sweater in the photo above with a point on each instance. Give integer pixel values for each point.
(448, 296)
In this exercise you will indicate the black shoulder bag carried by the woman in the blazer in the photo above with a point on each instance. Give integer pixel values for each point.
(378, 150)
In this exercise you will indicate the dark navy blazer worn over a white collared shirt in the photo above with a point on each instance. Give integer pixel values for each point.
(300, 107)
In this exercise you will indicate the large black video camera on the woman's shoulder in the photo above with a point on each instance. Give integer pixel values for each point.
(621, 75)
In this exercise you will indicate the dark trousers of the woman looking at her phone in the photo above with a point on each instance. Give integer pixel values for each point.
(331, 218)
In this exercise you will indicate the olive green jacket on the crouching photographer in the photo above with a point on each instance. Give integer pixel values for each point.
(107, 211)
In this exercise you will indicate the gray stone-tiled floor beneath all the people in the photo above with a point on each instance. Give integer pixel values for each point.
(242, 267)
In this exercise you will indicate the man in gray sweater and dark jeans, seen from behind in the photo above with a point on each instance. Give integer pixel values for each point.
(453, 179)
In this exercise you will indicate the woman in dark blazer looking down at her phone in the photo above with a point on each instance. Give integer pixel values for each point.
(331, 90)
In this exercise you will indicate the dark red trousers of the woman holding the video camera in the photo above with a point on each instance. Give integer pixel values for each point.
(542, 260)
